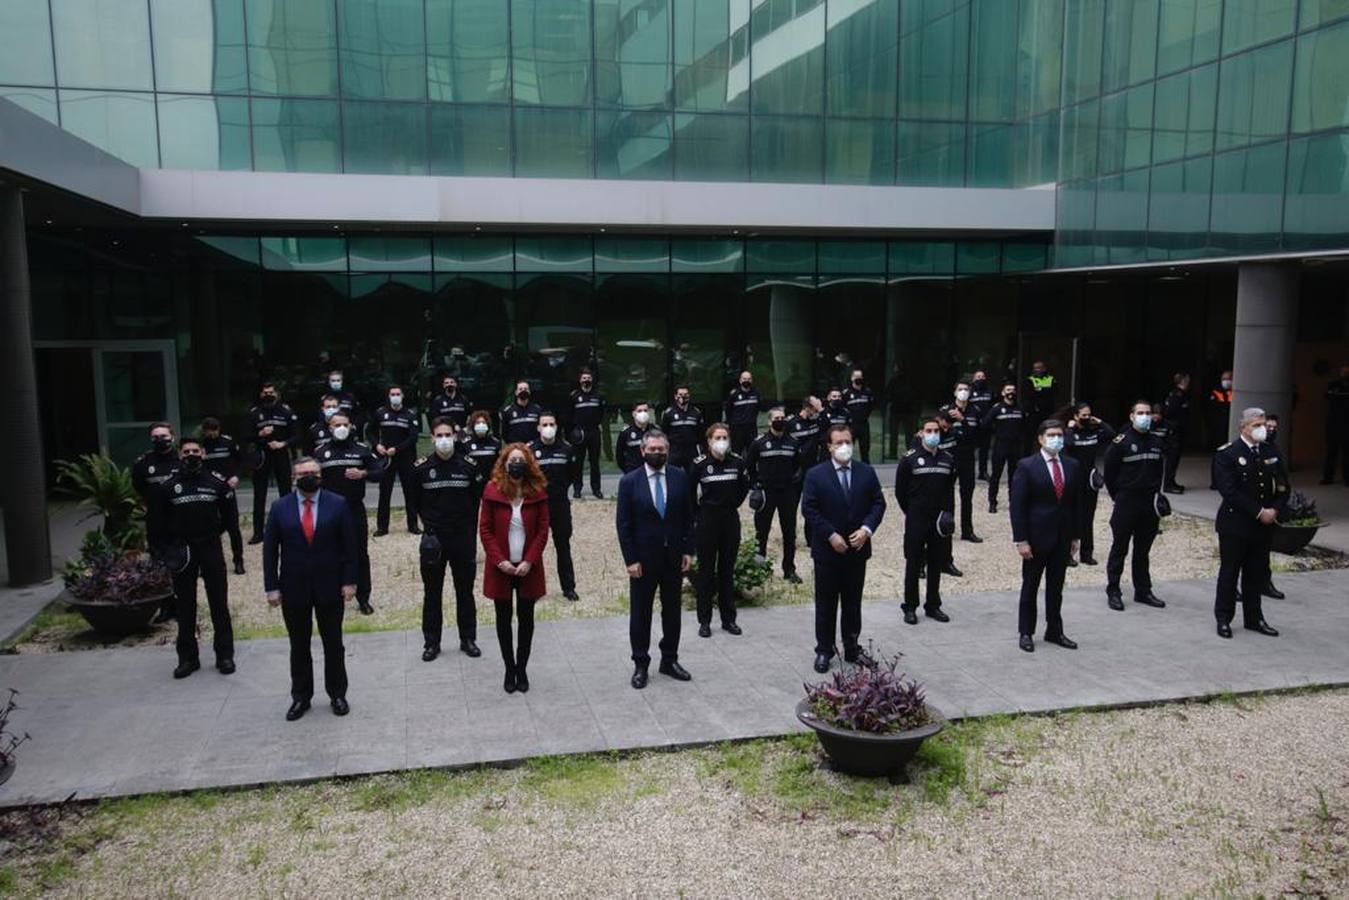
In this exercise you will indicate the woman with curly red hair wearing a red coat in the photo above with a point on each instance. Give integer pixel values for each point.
(513, 524)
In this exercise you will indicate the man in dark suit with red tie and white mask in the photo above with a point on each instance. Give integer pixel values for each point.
(1045, 528)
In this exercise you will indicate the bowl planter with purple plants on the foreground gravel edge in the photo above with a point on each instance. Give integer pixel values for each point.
(871, 719)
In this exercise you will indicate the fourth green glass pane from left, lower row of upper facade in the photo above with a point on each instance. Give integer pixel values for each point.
(296, 136)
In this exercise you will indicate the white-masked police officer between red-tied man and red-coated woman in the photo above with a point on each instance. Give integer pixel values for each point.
(449, 486)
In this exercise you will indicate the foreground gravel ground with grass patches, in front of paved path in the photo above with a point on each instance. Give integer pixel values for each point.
(1246, 798)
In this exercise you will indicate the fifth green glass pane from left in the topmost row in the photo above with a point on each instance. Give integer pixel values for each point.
(384, 49)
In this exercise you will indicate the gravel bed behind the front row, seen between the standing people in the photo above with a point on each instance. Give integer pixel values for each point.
(1186, 550)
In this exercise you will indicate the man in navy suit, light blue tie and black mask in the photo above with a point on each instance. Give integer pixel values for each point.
(656, 536)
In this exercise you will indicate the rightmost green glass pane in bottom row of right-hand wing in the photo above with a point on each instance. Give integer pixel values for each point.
(1316, 214)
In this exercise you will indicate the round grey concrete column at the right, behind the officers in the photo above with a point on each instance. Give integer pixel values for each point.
(1267, 322)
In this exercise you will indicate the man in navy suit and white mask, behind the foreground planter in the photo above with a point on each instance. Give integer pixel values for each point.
(844, 505)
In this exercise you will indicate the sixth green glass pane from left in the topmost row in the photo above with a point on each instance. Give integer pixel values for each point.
(469, 51)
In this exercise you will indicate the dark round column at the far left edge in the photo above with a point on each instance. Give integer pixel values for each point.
(24, 492)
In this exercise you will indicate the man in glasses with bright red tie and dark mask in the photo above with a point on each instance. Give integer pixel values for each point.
(310, 561)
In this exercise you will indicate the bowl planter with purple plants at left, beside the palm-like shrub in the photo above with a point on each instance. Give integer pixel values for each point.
(115, 590)
